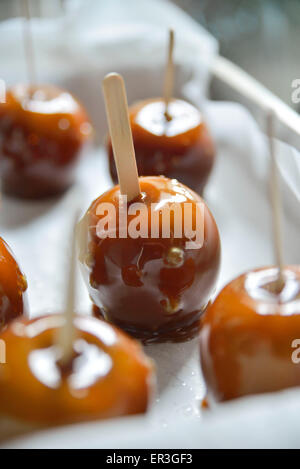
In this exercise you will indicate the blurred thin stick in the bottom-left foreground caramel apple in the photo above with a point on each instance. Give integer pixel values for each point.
(67, 333)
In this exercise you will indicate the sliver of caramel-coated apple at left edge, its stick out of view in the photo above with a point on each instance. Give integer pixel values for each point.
(12, 286)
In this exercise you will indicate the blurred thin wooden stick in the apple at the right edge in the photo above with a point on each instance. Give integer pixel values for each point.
(276, 202)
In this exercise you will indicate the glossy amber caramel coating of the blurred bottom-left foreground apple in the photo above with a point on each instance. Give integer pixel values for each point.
(109, 376)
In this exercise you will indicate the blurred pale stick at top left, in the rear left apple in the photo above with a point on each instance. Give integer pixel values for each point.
(28, 42)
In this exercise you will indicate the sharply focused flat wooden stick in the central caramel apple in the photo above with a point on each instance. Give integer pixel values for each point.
(121, 136)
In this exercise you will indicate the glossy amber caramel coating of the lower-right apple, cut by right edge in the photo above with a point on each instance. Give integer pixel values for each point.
(247, 333)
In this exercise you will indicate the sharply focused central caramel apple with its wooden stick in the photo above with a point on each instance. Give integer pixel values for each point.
(149, 247)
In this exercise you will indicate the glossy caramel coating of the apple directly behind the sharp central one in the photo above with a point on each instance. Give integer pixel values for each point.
(180, 148)
